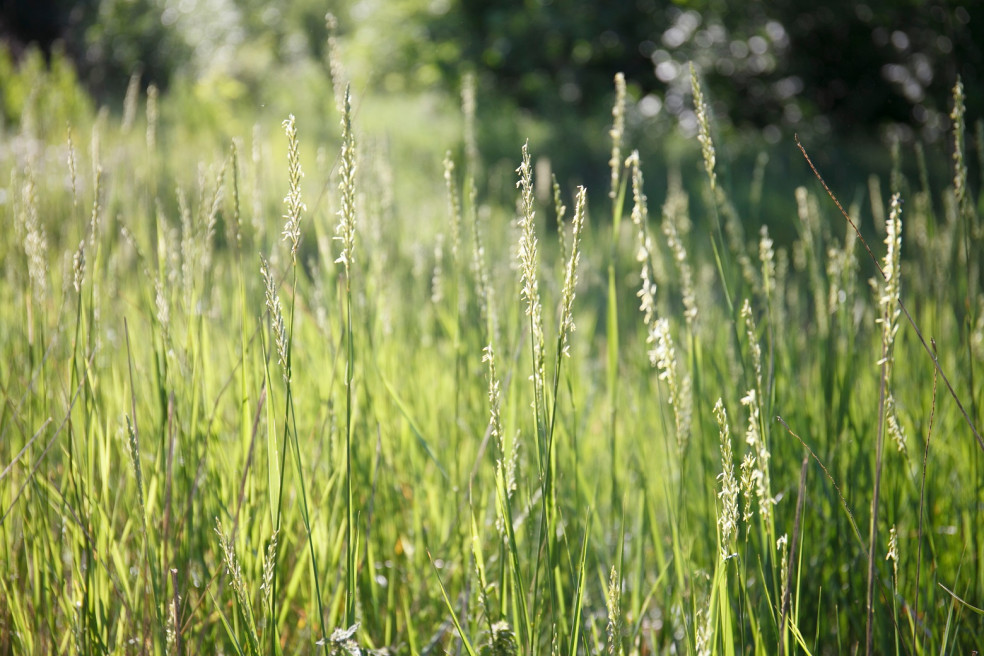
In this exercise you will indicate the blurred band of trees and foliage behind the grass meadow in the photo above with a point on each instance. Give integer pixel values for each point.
(847, 73)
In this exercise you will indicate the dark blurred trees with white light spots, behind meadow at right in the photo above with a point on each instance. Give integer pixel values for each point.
(786, 64)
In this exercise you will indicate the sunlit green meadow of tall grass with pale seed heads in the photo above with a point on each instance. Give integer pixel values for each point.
(279, 396)
